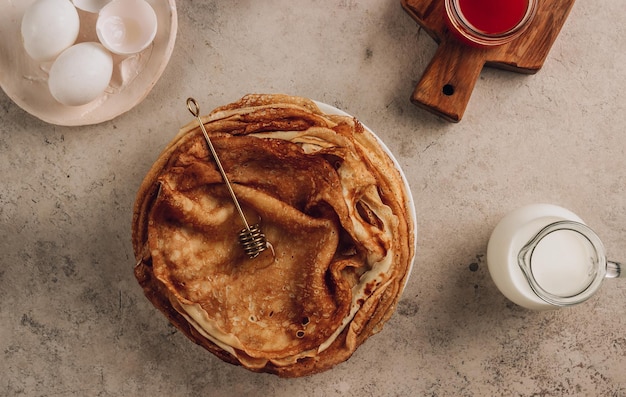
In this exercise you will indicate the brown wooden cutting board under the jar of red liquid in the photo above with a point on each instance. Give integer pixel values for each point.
(447, 83)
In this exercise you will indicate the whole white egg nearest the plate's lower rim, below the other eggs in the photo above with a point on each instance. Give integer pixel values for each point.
(80, 74)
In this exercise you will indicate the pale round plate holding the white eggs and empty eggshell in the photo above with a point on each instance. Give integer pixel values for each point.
(25, 81)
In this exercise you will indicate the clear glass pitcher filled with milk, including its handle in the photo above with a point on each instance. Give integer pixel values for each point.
(543, 256)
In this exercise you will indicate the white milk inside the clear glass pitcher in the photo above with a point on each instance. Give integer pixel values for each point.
(513, 232)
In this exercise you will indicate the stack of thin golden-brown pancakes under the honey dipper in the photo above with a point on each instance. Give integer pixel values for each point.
(330, 201)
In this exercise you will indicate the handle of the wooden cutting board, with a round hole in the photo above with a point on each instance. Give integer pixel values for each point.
(447, 83)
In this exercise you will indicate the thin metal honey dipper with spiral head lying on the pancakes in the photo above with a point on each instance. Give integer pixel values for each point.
(251, 238)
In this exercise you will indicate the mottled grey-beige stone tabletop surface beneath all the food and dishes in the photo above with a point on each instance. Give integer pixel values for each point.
(73, 321)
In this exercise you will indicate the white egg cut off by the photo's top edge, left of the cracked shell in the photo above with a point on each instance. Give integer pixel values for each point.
(49, 27)
